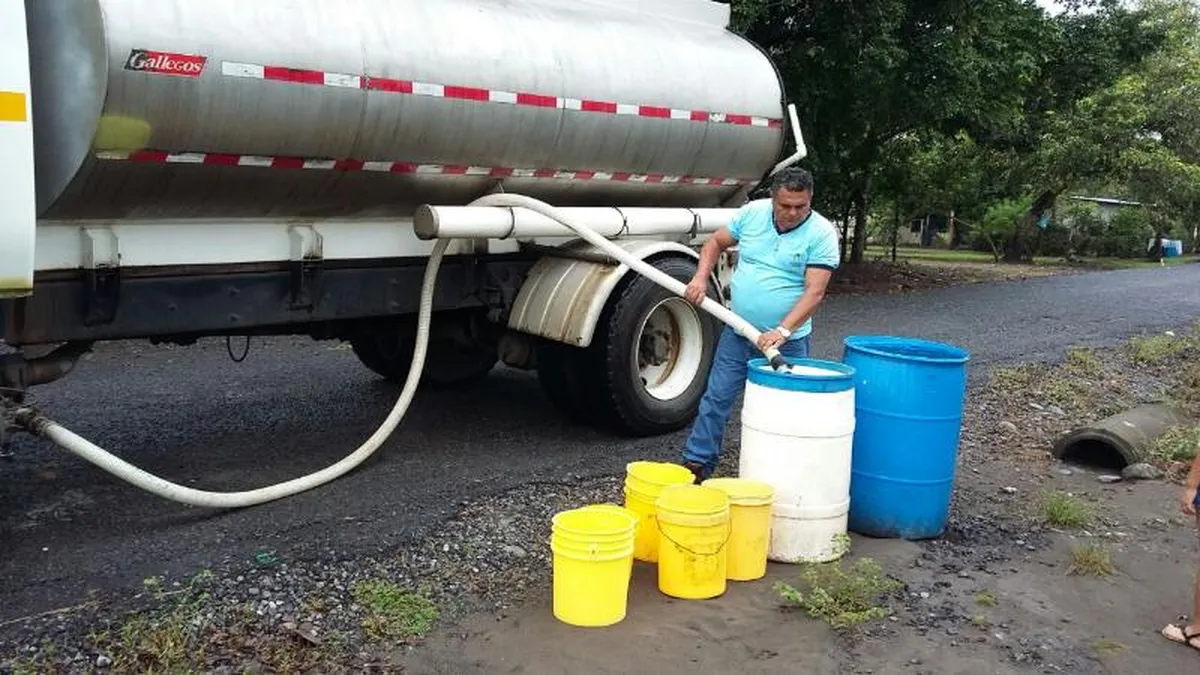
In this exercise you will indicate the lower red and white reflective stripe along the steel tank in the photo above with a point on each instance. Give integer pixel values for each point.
(219, 159)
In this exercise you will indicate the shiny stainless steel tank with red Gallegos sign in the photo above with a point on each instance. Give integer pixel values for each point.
(316, 109)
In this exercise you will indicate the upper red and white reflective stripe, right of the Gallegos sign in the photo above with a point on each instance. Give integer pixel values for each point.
(321, 79)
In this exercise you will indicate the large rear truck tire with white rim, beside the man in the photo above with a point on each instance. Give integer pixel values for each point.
(647, 367)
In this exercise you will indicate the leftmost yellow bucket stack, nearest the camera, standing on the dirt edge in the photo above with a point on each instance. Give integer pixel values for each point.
(593, 552)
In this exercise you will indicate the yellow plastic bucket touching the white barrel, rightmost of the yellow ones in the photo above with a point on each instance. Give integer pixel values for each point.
(751, 504)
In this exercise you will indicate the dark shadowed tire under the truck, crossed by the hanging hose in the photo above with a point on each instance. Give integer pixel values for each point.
(389, 354)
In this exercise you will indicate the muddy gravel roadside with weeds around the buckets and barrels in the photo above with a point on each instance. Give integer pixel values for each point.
(1043, 569)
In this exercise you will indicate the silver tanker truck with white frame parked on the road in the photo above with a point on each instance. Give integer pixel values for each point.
(182, 170)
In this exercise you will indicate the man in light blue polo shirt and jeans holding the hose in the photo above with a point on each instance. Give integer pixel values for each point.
(787, 256)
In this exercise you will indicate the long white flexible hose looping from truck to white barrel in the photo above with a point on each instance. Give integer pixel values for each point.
(175, 492)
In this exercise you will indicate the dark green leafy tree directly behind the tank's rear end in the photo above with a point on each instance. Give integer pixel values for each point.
(867, 74)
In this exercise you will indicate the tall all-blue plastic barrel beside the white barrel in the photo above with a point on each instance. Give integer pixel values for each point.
(909, 414)
